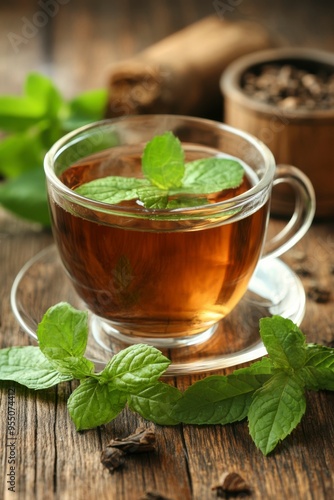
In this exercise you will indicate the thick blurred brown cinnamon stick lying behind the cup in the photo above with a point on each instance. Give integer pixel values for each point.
(180, 74)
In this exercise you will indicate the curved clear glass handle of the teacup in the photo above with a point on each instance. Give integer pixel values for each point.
(302, 216)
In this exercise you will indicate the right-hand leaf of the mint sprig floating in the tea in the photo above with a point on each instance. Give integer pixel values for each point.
(210, 175)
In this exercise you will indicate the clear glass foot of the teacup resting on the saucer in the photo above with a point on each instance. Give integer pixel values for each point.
(104, 334)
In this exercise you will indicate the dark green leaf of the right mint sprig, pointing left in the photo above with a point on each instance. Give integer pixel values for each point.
(218, 399)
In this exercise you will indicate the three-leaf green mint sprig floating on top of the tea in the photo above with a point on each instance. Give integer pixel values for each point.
(168, 181)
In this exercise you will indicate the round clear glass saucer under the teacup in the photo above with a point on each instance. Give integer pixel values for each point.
(274, 289)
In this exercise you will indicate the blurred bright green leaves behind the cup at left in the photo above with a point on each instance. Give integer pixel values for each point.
(31, 123)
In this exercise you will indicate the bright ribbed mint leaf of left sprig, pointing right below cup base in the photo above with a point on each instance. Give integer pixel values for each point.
(134, 368)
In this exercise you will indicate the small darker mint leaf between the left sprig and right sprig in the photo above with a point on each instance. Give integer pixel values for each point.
(156, 403)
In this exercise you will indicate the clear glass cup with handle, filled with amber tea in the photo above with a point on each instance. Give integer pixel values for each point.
(165, 277)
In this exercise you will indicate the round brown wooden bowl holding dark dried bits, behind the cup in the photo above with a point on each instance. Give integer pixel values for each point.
(300, 137)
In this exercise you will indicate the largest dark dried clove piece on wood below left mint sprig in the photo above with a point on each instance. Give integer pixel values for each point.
(114, 455)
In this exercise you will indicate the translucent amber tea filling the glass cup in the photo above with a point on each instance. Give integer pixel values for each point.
(151, 278)
